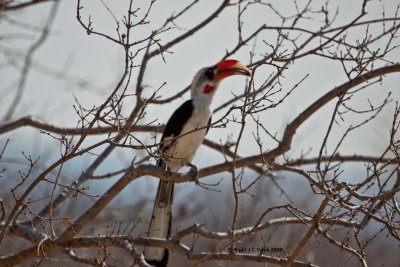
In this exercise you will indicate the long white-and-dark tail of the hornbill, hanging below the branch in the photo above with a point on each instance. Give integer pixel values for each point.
(160, 224)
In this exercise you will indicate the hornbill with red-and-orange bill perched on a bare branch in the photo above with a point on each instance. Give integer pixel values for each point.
(182, 136)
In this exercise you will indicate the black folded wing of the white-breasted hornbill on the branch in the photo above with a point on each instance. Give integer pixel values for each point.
(175, 124)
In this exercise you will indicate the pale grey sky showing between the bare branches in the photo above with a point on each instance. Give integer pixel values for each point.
(92, 59)
